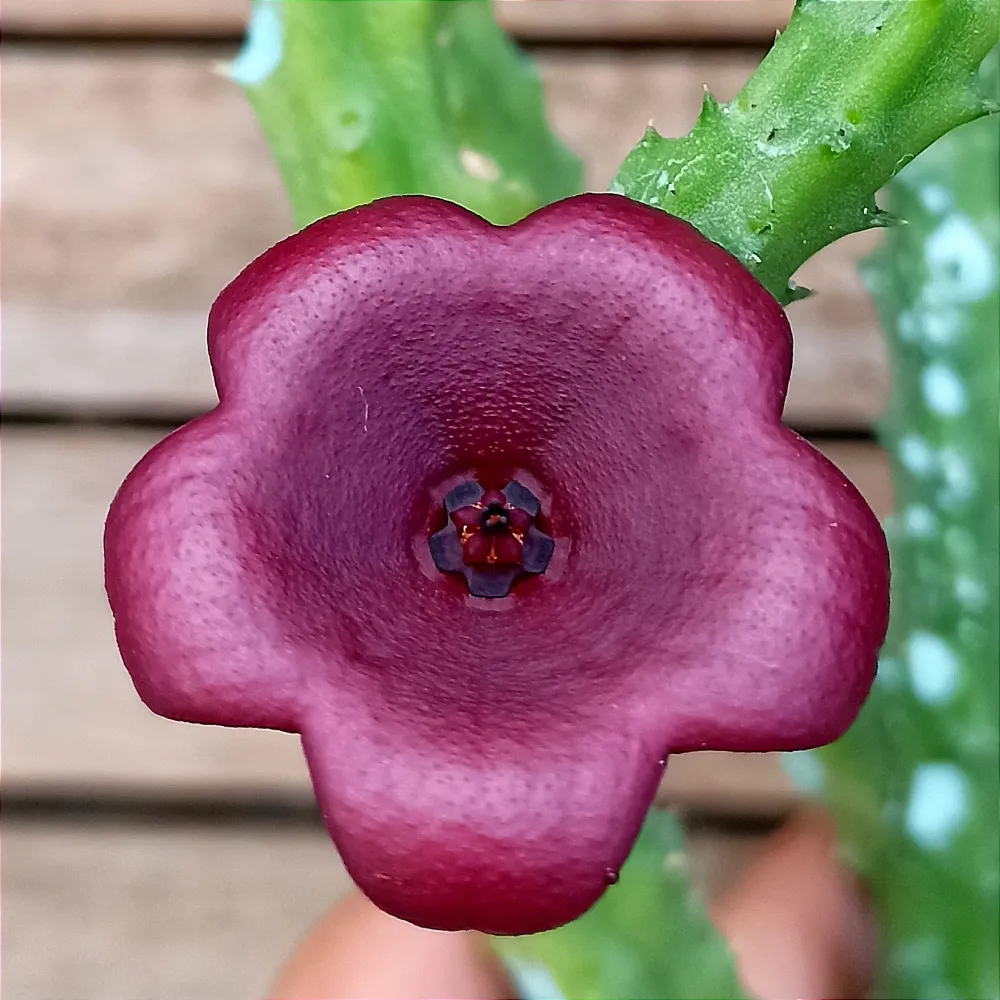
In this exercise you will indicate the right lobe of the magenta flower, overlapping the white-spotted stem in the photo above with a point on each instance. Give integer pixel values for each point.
(779, 629)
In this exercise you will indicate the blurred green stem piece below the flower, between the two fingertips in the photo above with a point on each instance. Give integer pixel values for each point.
(648, 937)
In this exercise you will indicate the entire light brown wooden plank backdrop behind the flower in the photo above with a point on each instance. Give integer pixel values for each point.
(136, 184)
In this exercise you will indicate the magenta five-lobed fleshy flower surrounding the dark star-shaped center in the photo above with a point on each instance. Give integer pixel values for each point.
(716, 583)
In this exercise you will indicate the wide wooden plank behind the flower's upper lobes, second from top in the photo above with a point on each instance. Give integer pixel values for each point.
(136, 184)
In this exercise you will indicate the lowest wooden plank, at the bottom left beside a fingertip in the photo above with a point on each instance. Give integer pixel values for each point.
(120, 912)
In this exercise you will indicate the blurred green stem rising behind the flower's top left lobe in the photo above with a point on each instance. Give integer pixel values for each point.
(360, 99)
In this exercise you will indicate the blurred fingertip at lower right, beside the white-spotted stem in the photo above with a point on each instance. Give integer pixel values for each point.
(797, 919)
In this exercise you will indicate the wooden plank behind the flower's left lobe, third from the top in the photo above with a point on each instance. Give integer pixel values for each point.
(73, 723)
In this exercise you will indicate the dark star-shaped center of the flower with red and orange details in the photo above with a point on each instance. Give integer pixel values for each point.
(491, 537)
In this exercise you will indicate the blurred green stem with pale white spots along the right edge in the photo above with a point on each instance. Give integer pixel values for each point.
(914, 784)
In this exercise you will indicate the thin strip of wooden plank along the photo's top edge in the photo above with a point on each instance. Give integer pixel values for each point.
(530, 20)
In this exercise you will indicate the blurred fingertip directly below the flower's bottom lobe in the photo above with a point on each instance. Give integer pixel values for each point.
(359, 952)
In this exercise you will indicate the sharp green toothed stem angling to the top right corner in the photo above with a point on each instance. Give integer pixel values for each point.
(848, 94)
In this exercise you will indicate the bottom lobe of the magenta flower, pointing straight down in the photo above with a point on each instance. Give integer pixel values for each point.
(518, 835)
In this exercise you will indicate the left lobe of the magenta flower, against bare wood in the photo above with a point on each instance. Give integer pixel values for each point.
(202, 639)
